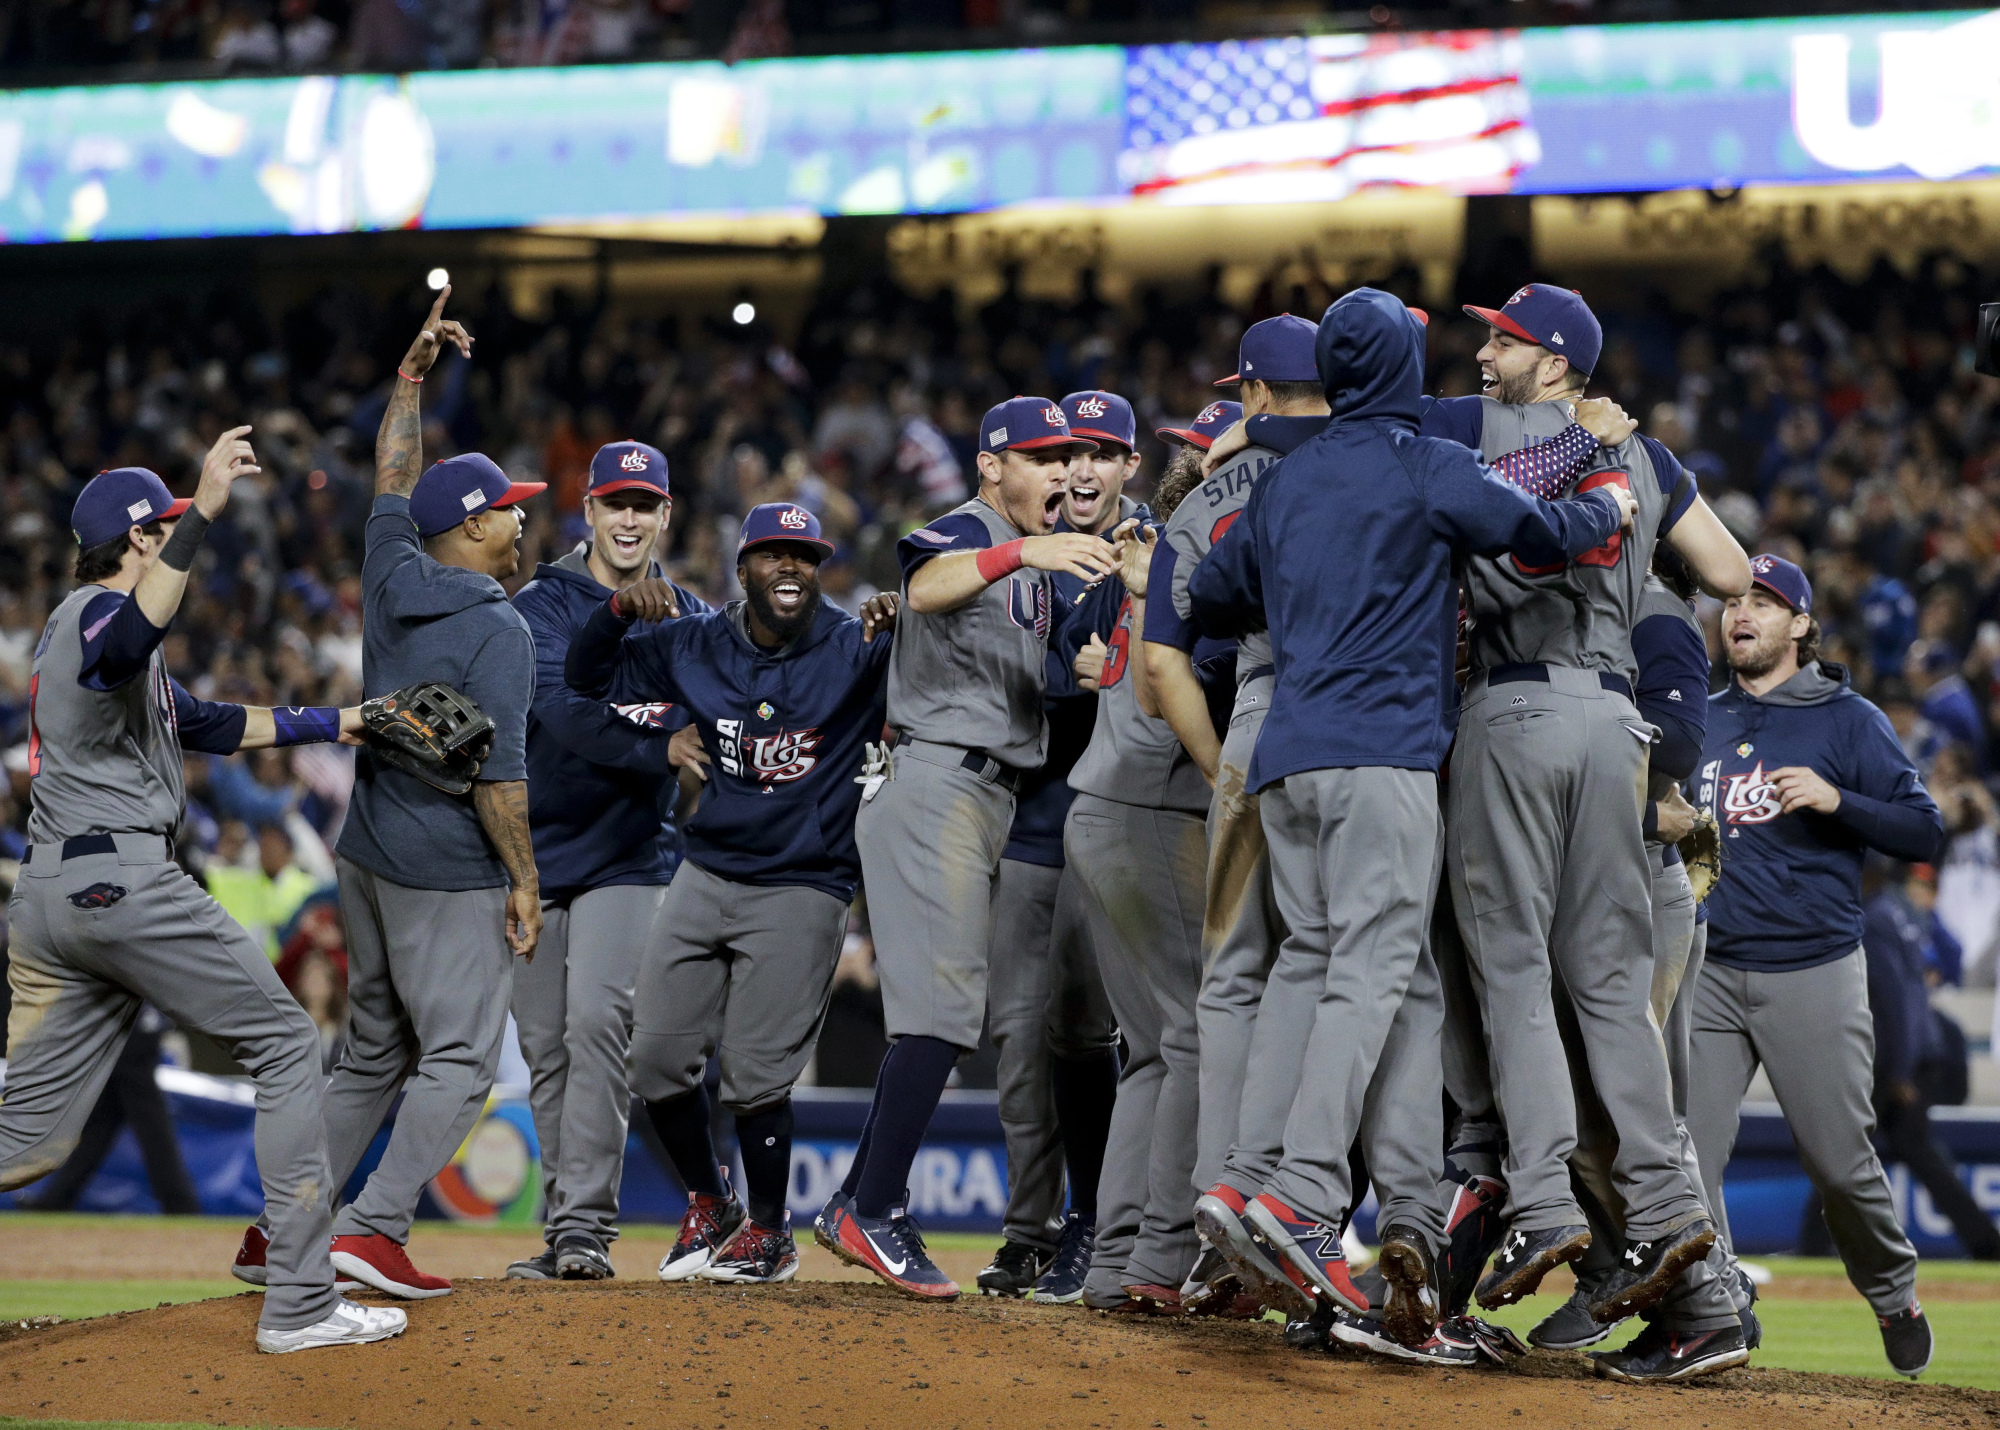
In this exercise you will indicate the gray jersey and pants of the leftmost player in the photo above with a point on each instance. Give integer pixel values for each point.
(105, 921)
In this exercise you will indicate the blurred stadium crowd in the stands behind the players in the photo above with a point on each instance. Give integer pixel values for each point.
(1835, 423)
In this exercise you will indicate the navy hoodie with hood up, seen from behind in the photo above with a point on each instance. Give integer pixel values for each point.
(1347, 551)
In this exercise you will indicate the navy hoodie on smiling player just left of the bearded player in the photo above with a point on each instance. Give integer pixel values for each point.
(601, 793)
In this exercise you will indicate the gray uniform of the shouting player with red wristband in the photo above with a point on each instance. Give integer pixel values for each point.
(965, 689)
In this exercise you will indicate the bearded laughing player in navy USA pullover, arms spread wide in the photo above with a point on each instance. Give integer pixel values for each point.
(785, 691)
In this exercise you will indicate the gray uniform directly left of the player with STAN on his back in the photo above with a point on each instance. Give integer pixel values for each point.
(1139, 853)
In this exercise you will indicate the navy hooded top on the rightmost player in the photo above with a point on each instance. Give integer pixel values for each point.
(1791, 891)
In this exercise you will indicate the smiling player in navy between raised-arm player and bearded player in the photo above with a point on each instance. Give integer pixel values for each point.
(599, 785)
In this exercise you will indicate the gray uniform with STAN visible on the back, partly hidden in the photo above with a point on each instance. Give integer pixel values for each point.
(1241, 927)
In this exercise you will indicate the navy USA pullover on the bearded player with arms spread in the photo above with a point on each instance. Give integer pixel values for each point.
(785, 733)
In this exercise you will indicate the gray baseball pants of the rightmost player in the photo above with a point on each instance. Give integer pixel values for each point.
(1815, 1039)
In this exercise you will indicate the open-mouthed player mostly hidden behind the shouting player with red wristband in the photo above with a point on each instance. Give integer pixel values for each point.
(1045, 1003)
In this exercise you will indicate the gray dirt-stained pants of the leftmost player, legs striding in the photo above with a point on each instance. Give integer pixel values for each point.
(79, 979)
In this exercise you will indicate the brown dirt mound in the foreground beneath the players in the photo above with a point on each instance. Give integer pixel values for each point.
(835, 1357)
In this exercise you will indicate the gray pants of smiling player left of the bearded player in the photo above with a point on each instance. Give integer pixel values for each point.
(573, 1013)
